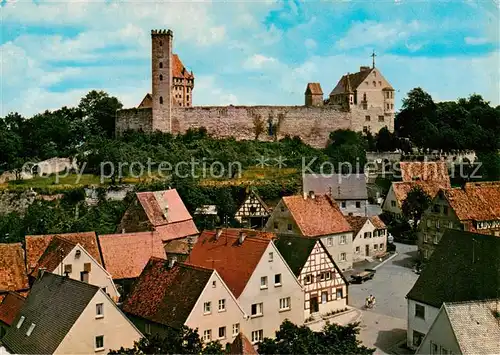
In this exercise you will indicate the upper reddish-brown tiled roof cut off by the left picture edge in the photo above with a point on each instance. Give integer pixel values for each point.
(13, 275)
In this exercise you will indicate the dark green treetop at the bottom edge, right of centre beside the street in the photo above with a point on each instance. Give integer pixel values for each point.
(333, 339)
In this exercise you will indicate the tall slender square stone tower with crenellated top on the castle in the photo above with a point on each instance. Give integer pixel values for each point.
(161, 64)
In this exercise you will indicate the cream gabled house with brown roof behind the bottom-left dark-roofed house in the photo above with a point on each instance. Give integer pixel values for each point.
(65, 258)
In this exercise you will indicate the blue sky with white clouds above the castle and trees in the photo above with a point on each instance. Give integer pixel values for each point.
(244, 52)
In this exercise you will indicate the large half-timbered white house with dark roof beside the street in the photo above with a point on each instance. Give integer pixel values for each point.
(325, 287)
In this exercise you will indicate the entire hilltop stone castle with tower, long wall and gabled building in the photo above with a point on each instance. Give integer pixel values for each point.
(362, 101)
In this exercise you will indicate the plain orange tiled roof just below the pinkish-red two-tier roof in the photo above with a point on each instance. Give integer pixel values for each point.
(126, 254)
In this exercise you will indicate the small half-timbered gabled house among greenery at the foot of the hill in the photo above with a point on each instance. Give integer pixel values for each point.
(253, 213)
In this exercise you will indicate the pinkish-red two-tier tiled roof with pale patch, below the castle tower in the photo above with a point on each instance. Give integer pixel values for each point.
(166, 209)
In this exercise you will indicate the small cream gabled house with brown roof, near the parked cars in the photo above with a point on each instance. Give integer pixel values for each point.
(370, 237)
